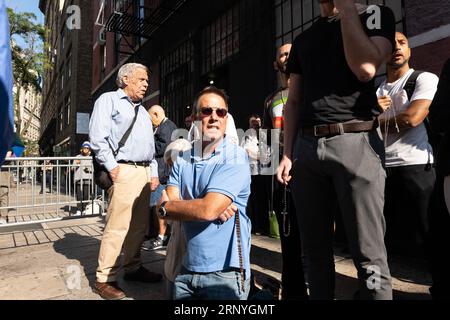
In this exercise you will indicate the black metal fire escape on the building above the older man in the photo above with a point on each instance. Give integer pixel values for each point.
(132, 21)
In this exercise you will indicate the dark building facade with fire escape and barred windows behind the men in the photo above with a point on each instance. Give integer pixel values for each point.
(230, 43)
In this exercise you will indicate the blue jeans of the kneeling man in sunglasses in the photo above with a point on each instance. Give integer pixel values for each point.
(219, 285)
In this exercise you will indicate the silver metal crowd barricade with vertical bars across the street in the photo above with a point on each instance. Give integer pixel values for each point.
(48, 189)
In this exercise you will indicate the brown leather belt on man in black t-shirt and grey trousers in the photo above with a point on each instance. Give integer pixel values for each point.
(334, 129)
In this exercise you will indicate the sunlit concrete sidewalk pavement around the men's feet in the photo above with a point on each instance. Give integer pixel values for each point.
(57, 261)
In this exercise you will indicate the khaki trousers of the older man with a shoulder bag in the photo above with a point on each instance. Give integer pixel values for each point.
(126, 222)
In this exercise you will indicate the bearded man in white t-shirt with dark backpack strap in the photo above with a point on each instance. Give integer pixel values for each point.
(409, 156)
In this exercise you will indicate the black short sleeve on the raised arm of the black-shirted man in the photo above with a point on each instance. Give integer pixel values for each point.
(384, 27)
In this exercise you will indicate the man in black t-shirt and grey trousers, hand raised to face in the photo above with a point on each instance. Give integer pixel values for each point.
(338, 153)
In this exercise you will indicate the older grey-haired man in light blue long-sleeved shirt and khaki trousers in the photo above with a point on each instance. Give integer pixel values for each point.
(134, 173)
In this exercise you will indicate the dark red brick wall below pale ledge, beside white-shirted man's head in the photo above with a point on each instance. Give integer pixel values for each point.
(431, 57)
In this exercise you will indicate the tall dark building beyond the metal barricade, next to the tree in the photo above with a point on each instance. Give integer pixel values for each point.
(67, 78)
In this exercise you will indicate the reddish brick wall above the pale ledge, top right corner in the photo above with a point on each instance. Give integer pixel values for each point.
(422, 16)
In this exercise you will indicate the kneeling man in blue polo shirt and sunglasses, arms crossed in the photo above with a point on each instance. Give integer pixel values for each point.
(208, 191)
